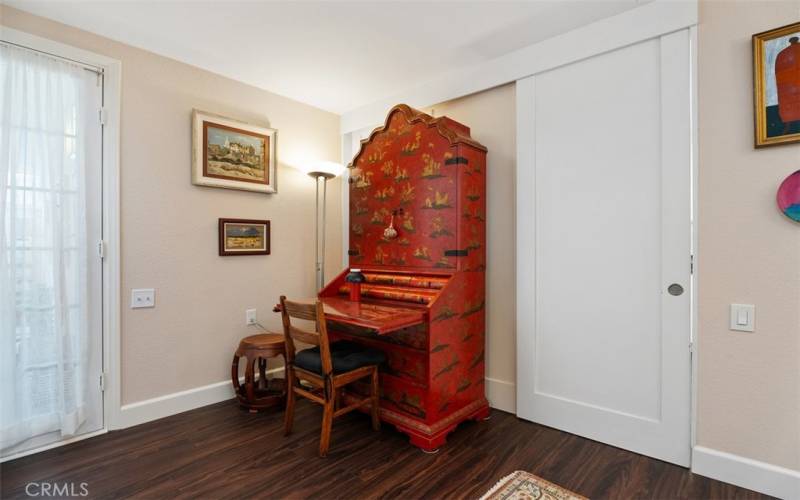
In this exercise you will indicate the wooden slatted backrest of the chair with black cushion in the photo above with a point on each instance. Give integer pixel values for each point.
(309, 312)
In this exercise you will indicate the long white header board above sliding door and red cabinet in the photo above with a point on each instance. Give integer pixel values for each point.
(650, 20)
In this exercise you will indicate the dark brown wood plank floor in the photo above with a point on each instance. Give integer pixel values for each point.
(221, 451)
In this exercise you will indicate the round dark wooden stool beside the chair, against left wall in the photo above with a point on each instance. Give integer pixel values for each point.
(259, 394)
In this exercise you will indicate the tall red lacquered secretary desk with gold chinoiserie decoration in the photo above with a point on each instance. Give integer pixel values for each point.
(418, 234)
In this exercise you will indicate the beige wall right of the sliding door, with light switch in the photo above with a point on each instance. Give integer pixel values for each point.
(748, 384)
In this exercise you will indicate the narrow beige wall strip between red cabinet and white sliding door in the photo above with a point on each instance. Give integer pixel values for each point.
(491, 115)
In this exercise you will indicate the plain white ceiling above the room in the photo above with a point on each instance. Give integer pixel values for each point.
(334, 55)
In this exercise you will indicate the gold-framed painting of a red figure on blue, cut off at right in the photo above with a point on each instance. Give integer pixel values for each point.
(776, 78)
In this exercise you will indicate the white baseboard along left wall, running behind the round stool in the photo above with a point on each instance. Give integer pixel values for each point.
(177, 402)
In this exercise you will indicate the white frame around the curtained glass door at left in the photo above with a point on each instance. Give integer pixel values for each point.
(110, 246)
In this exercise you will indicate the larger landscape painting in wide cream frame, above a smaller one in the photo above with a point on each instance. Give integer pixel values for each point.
(230, 154)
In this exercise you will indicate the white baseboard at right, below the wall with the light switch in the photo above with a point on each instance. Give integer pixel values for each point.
(747, 473)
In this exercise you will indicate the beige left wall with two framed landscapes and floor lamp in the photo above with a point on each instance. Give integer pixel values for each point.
(169, 226)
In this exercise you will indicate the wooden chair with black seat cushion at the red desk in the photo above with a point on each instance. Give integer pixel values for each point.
(328, 368)
